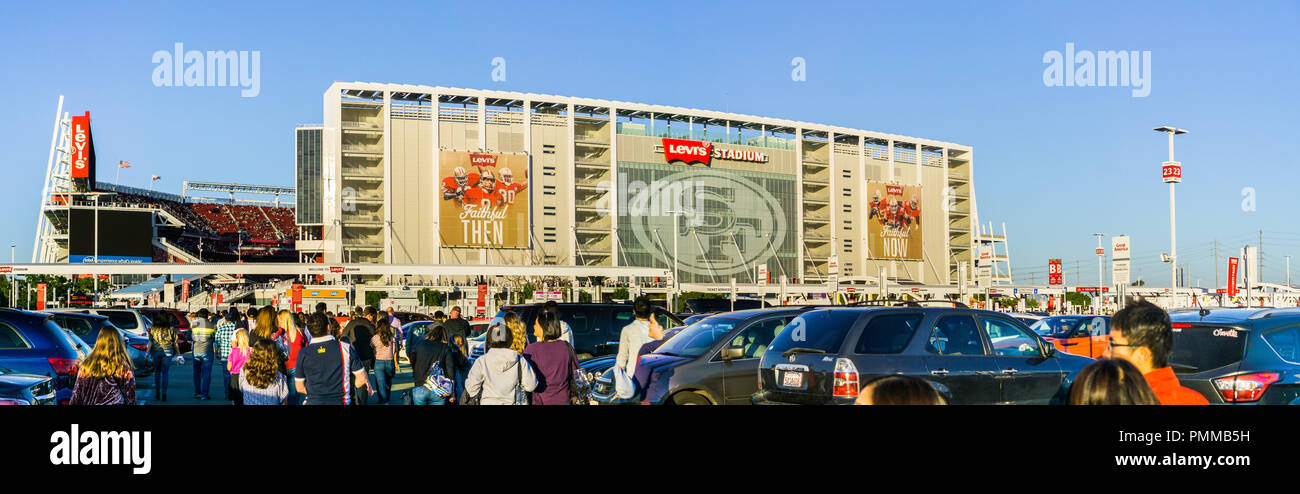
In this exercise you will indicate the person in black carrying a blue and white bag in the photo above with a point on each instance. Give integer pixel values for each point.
(434, 367)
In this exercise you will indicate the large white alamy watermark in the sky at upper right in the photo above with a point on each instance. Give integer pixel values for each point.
(1086, 68)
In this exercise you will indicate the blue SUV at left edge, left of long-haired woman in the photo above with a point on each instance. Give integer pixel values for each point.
(32, 344)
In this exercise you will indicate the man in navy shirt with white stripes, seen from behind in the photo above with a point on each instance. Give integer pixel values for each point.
(328, 370)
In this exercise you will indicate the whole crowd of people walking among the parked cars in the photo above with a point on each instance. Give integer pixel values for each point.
(271, 357)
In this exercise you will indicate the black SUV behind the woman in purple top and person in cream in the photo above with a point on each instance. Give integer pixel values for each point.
(596, 327)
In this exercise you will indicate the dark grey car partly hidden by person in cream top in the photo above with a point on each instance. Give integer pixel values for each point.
(712, 362)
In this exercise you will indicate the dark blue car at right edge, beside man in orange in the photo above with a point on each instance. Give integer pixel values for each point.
(1241, 356)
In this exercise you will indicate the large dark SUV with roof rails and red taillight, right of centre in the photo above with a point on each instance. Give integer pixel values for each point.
(972, 357)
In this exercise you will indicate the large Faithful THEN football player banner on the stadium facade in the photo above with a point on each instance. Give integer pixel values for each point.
(484, 200)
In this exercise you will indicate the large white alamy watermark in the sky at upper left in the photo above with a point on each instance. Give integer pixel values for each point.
(209, 70)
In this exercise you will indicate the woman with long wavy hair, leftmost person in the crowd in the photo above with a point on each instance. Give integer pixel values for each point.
(106, 376)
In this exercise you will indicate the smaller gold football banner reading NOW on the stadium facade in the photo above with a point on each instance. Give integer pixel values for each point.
(894, 222)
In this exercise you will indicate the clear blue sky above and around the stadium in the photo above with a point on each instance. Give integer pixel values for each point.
(1055, 163)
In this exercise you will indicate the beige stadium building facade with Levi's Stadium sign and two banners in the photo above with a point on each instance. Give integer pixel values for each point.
(422, 175)
